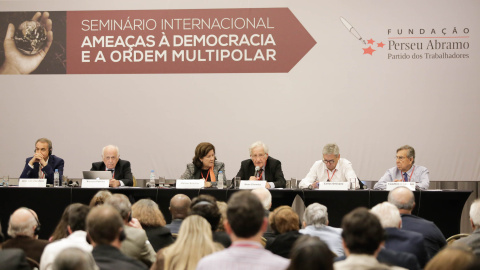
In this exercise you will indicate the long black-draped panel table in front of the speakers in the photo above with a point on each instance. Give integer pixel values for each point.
(442, 207)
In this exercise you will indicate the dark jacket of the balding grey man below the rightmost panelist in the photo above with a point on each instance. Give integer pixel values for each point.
(434, 239)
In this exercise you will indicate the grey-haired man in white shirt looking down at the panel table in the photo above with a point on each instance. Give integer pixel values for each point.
(331, 169)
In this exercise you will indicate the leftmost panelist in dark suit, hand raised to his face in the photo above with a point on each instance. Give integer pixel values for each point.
(43, 163)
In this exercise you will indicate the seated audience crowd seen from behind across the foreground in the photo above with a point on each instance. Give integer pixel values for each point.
(114, 234)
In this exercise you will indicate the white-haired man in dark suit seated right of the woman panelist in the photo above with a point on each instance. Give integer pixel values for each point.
(269, 169)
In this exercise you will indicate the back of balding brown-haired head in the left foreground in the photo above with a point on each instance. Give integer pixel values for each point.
(104, 224)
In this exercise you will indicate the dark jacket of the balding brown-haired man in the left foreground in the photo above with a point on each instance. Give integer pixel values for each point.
(110, 258)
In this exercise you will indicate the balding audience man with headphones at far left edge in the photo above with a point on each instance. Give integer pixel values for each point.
(23, 227)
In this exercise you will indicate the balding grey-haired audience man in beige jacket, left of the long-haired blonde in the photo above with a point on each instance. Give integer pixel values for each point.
(136, 244)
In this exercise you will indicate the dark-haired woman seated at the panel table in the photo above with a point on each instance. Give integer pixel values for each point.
(204, 165)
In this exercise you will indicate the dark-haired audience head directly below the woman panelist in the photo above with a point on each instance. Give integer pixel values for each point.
(206, 206)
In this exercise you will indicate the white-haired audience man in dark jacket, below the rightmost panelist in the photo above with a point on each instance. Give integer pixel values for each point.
(396, 239)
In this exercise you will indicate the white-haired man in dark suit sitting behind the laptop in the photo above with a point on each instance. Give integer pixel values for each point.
(121, 170)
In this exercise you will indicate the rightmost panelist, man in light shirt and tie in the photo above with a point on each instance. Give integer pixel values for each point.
(405, 171)
